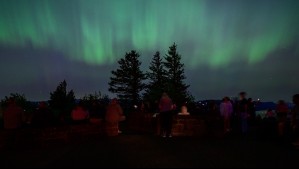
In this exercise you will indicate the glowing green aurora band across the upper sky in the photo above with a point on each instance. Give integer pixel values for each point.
(94, 31)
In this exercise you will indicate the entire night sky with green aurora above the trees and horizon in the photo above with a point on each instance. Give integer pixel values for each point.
(226, 45)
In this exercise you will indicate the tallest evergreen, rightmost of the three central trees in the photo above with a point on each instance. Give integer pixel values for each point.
(175, 85)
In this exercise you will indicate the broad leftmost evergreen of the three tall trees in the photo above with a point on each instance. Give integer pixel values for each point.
(127, 80)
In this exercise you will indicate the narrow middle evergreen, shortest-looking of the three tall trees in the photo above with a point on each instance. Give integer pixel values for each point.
(157, 78)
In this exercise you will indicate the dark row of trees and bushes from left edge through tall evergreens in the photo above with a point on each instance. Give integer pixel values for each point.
(128, 82)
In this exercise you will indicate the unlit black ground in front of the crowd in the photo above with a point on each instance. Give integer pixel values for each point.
(133, 150)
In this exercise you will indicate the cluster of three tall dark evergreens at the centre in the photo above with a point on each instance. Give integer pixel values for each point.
(165, 74)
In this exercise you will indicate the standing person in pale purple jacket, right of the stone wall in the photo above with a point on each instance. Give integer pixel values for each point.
(226, 110)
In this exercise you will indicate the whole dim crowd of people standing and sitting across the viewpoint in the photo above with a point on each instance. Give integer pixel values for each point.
(233, 116)
